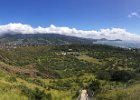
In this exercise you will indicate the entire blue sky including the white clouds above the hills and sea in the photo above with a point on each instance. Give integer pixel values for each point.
(81, 15)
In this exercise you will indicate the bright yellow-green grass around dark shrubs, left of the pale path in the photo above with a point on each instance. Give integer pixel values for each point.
(12, 91)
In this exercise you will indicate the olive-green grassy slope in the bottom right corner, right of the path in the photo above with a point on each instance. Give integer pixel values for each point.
(129, 93)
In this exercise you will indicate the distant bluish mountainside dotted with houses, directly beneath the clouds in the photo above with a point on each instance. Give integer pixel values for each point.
(40, 39)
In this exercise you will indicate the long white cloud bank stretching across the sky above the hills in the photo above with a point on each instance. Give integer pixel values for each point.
(110, 33)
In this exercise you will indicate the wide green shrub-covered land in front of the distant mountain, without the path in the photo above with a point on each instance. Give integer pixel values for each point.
(58, 72)
